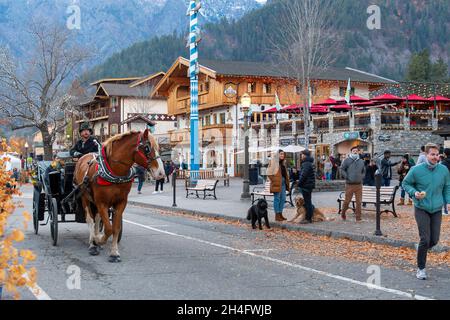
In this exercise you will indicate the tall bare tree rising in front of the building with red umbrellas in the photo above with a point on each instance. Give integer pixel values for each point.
(306, 44)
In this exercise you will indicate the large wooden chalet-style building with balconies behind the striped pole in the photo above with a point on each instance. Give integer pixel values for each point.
(221, 85)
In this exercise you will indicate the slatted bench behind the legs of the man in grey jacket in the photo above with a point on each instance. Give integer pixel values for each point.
(387, 197)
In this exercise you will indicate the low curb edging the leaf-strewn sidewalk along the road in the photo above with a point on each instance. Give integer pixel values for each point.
(319, 232)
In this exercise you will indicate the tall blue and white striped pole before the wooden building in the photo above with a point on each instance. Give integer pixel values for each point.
(194, 7)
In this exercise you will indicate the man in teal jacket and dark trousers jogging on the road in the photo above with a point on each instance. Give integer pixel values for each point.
(429, 185)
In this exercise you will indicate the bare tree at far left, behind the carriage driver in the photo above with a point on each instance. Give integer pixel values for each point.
(34, 94)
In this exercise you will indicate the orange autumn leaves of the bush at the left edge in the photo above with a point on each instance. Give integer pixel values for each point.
(13, 262)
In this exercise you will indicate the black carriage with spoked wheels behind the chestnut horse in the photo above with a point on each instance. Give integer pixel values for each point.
(56, 194)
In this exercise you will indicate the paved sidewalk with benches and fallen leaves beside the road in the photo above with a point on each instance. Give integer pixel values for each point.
(399, 232)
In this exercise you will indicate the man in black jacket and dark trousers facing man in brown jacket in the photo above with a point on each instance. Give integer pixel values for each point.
(307, 182)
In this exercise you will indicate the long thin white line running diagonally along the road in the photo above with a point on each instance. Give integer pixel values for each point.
(282, 262)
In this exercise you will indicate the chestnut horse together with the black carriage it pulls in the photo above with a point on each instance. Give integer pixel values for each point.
(95, 189)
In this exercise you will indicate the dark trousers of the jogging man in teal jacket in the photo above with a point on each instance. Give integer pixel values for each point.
(429, 225)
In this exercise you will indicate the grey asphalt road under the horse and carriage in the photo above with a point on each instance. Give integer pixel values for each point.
(175, 257)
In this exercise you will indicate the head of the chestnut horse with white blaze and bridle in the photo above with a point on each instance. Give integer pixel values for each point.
(147, 155)
